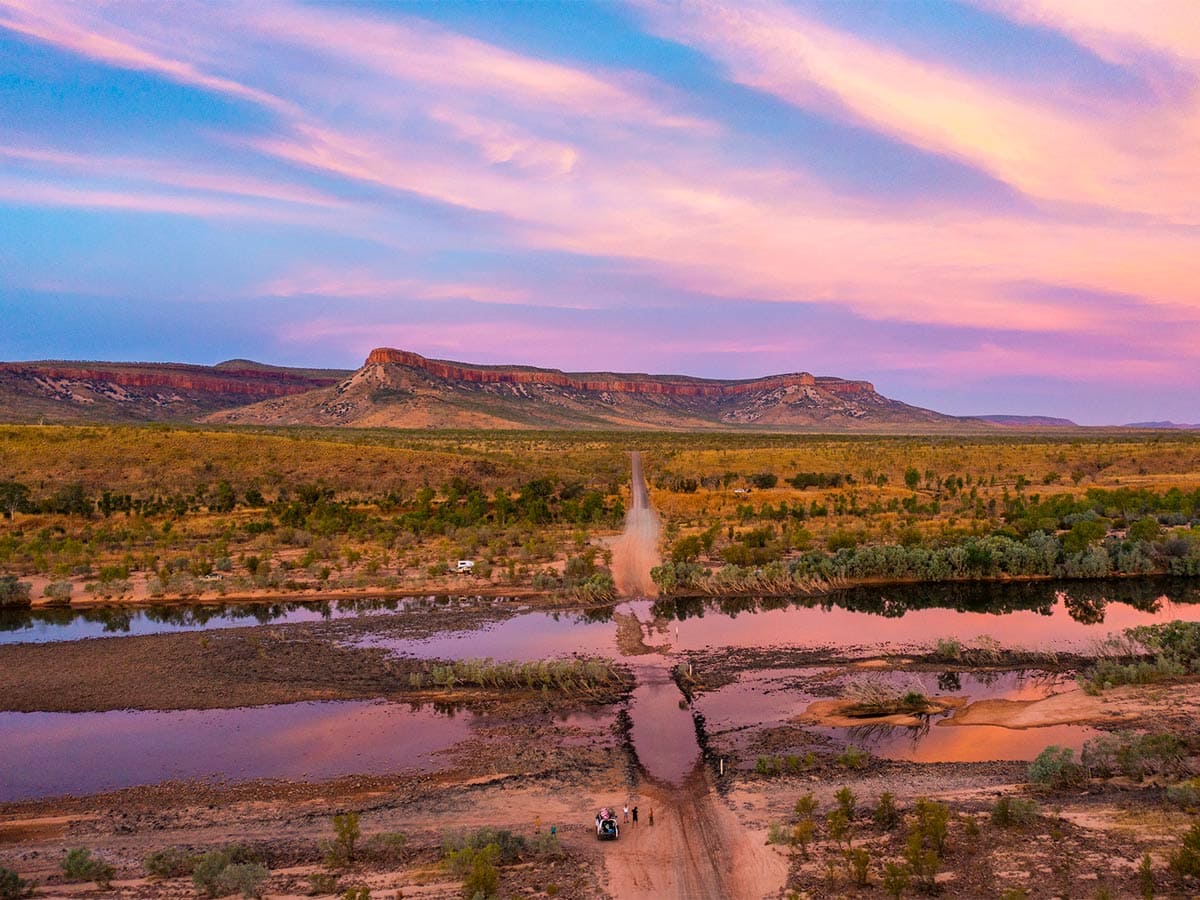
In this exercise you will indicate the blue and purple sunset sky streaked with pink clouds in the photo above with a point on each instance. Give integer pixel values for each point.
(981, 207)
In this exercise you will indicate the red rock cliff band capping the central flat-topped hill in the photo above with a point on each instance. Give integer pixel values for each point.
(621, 383)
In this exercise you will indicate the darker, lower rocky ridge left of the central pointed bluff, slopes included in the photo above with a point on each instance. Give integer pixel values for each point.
(59, 392)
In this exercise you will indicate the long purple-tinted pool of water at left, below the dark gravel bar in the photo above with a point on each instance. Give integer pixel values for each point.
(53, 754)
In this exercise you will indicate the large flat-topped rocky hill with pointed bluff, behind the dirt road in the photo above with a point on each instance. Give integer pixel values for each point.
(404, 389)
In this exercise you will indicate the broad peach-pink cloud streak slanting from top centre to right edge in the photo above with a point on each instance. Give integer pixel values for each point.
(1048, 153)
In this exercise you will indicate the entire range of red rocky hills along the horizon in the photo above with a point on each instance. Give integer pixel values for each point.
(406, 391)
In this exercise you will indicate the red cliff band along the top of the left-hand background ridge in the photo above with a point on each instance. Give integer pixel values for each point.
(187, 380)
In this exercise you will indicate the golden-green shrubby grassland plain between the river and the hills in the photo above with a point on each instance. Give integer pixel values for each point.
(157, 512)
